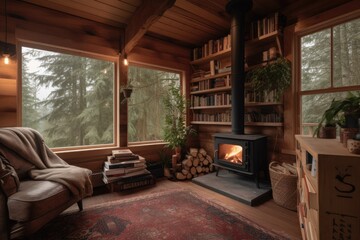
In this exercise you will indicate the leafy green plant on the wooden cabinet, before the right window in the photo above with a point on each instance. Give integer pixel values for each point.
(345, 112)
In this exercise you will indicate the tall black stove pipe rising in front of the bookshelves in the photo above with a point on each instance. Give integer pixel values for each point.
(237, 9)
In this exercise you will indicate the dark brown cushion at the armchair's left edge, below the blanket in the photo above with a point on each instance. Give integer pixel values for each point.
(9, 180)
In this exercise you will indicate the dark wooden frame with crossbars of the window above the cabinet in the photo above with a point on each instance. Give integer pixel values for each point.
(307, 30)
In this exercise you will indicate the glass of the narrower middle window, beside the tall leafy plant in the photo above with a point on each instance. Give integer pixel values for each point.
(145, 107)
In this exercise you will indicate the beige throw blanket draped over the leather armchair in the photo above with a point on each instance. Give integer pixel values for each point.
(27, 145)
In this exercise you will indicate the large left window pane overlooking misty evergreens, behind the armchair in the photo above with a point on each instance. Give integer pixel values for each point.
(68, 98)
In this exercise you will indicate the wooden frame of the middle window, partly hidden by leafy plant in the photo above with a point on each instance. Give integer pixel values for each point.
(182, 90)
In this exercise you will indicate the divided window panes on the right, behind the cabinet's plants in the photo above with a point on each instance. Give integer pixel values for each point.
(330, 68)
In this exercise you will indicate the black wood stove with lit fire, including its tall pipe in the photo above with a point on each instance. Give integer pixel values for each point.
(250, 150)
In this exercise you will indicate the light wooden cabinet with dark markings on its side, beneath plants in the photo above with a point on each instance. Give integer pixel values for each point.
(328, 189)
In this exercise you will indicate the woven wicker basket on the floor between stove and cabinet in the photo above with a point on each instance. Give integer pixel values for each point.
(284, 185)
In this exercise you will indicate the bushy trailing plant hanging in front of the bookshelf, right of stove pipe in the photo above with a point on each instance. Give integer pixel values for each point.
(274, 77)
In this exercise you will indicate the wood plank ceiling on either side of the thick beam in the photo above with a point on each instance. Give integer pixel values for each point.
(188, 23)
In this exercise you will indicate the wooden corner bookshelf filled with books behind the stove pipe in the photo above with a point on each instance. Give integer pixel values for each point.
(210, 86)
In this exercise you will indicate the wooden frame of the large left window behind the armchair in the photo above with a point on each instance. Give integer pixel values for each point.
(66, 50)
